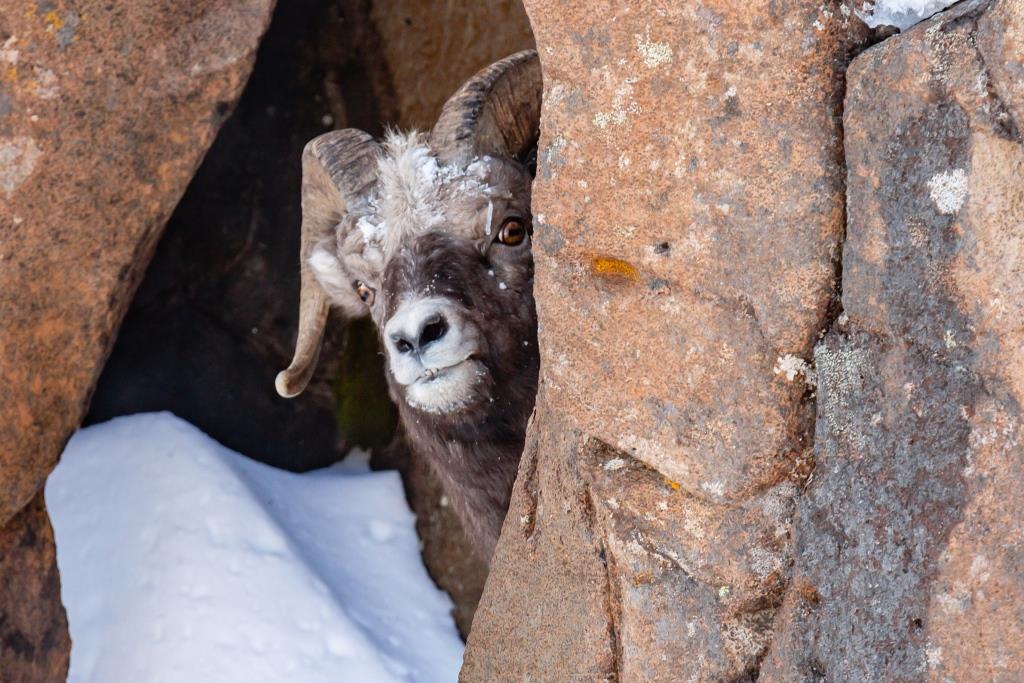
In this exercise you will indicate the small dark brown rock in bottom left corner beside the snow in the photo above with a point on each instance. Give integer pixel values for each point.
(34, 645)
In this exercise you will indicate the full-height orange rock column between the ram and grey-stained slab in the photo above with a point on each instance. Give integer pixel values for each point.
(690, 210)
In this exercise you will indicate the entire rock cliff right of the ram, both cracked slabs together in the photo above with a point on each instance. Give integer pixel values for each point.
(778, 436)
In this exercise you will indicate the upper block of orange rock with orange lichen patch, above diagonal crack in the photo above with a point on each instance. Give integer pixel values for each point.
(707, 228)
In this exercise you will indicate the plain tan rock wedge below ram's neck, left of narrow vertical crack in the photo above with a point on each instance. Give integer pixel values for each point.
(546, 611)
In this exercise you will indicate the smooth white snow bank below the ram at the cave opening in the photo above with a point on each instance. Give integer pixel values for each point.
(183, 562)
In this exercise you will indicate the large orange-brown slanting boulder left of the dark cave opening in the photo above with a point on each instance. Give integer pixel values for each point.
(107, 111)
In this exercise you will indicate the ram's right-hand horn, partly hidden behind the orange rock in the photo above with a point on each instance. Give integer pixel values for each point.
(497, 112)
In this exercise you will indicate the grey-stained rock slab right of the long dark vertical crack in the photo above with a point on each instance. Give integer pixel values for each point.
(911, 539)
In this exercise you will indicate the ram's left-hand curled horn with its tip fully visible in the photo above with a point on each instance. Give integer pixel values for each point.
(337, 169)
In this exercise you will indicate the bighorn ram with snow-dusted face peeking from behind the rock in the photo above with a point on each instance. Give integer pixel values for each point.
(431, 236)
